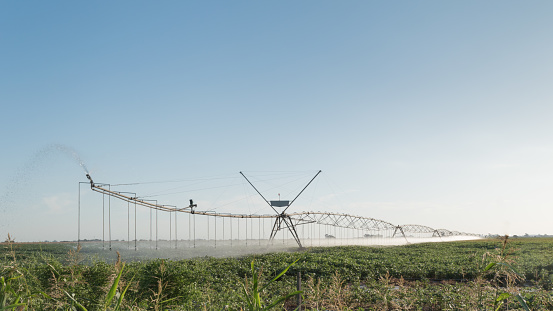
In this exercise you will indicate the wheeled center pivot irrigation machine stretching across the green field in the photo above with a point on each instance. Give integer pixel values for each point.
(349, 229)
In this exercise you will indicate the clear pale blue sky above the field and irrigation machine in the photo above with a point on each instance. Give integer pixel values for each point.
(428, 112)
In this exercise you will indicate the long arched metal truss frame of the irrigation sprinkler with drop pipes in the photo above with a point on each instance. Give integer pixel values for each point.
(282, 220)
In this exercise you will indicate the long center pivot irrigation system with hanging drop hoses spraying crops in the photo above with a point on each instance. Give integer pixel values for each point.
(303, 228)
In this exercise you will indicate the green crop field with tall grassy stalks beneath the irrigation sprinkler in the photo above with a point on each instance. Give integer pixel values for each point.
(473, 275)
